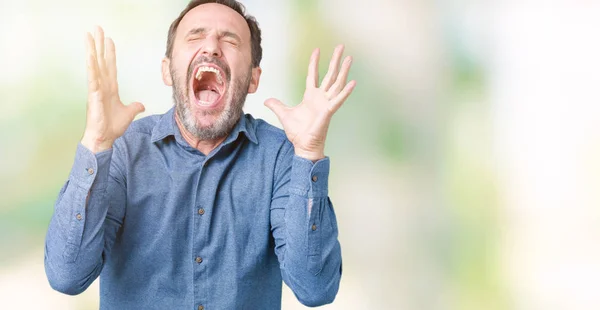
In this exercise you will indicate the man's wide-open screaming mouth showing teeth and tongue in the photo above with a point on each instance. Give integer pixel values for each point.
(208, 85)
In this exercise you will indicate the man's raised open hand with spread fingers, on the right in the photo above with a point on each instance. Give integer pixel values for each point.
(306, 124)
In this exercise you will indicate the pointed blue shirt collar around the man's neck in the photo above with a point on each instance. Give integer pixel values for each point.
(166, 126)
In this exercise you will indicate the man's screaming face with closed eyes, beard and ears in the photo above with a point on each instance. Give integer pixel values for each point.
(211, 70)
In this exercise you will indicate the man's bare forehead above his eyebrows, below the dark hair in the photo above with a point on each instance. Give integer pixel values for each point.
(214, 16)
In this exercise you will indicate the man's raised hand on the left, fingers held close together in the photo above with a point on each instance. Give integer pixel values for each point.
(107, 116)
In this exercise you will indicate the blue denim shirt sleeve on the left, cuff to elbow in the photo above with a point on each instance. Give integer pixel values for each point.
(85, 221)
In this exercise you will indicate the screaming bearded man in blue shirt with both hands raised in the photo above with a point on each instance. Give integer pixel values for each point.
(202, 207)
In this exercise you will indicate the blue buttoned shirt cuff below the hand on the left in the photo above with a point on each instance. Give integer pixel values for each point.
(89, 167)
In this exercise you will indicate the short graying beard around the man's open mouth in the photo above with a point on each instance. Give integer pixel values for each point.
(229, 116)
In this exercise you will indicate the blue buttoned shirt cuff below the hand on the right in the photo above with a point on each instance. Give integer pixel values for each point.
(308, 178)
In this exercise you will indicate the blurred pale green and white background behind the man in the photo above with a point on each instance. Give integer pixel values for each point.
(465, 166)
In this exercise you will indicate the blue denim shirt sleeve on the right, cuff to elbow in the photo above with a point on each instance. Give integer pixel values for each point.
(305, 229)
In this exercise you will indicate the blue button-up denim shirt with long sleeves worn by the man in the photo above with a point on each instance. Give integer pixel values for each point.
(167, 227)
